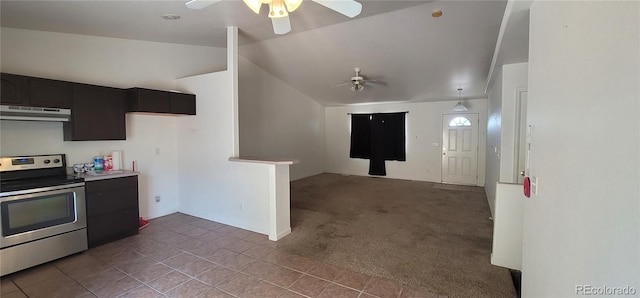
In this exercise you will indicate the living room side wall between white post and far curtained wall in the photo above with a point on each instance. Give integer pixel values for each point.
(277, 121)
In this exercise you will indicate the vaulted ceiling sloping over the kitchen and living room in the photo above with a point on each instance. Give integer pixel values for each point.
(412, 55)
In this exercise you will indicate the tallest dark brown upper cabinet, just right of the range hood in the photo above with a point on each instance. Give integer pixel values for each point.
(97, 113)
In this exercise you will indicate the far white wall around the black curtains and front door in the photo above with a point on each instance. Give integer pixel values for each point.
(424, 127)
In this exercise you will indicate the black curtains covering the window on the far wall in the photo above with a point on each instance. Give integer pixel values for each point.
(378, 137)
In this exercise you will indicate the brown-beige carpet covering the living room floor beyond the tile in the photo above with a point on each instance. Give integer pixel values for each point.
(408, 231)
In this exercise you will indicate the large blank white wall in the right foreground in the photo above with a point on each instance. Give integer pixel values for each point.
(583, 227)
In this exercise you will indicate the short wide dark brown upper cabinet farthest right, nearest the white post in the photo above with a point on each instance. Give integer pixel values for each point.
(156, 101)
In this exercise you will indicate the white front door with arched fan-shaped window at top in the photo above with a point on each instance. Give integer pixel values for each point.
(460, 148)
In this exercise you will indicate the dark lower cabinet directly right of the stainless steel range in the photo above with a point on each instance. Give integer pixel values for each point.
(112, 209)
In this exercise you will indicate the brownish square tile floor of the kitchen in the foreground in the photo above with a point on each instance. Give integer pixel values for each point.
(183, 256)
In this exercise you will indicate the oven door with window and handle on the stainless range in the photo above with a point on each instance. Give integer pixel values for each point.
(29, 215)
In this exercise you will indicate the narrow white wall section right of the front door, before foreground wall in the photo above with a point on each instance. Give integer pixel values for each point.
(501, 124)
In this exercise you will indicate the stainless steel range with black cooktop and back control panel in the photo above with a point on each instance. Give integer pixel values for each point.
(42, 211)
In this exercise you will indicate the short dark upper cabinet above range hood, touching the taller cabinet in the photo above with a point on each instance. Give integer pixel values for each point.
(49, 93)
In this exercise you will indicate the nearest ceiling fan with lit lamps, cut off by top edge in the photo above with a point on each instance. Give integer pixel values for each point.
(279, 9)
